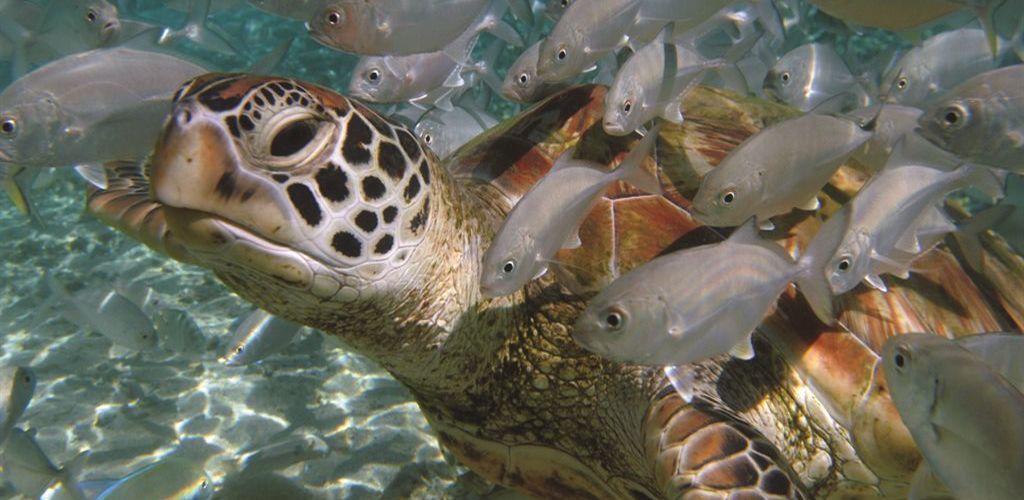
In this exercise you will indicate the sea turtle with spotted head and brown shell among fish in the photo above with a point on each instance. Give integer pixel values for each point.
(318, 210)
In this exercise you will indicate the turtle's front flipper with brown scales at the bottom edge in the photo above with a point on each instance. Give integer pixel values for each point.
(701, 452)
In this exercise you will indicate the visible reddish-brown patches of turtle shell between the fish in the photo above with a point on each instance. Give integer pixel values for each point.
(629, 228)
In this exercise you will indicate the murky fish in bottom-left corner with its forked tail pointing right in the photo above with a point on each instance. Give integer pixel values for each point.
(28, 468)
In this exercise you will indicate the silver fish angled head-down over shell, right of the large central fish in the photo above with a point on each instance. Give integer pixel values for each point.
(884, 219)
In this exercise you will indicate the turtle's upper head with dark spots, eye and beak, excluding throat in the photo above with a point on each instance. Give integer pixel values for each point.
(297, 165)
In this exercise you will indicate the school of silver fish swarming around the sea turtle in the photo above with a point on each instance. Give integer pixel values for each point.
(92, 82)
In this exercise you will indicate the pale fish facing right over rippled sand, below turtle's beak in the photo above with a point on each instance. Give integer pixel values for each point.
(111, 315)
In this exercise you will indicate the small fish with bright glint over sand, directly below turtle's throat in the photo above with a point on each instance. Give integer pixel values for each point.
(260, 336)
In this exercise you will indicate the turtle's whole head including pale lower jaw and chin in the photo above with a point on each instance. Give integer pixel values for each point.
(278, 185)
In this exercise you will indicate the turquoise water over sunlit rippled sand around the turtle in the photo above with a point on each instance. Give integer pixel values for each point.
(131, 408)
